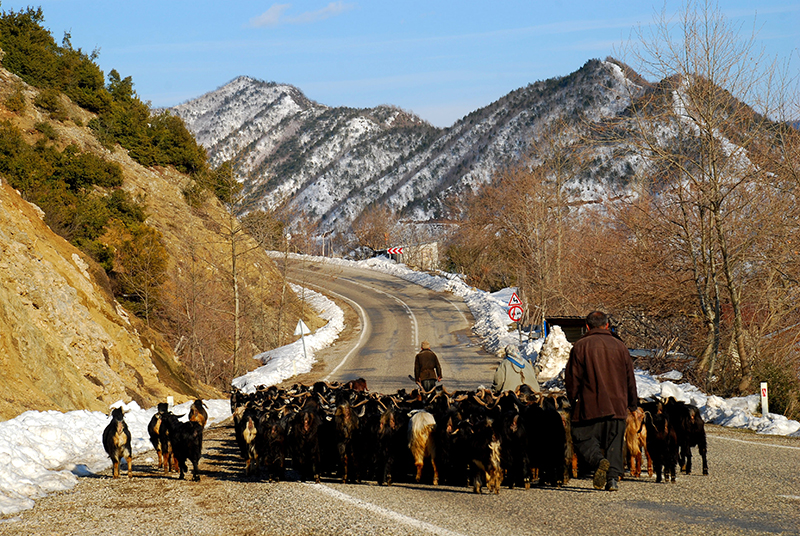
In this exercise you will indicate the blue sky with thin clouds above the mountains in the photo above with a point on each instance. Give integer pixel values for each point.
(439, 59)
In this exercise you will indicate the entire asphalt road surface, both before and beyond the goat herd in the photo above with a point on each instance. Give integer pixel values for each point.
(753, 486)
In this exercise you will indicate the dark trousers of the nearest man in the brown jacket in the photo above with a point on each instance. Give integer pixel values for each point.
(600, 439)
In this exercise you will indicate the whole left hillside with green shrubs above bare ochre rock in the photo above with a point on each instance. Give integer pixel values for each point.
(117, 267)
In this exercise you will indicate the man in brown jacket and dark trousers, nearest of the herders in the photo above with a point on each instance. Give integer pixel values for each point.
(602, 388)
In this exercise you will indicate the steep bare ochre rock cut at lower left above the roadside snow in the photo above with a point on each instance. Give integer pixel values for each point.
(63, 342)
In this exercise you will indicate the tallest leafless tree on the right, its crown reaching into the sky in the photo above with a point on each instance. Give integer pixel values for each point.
(709, 195)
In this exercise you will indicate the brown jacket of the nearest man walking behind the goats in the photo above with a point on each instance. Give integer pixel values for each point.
(599, 377)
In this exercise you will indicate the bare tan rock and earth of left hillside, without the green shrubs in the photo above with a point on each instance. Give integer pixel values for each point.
(65, 343)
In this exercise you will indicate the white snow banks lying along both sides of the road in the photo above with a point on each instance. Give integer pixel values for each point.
(46, 451)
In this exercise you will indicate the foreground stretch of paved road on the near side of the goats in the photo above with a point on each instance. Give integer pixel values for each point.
(753, 488)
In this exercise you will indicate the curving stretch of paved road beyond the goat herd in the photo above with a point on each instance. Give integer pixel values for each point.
(387, 318)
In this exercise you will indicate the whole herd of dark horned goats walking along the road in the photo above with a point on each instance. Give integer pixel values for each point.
(472, 438)
